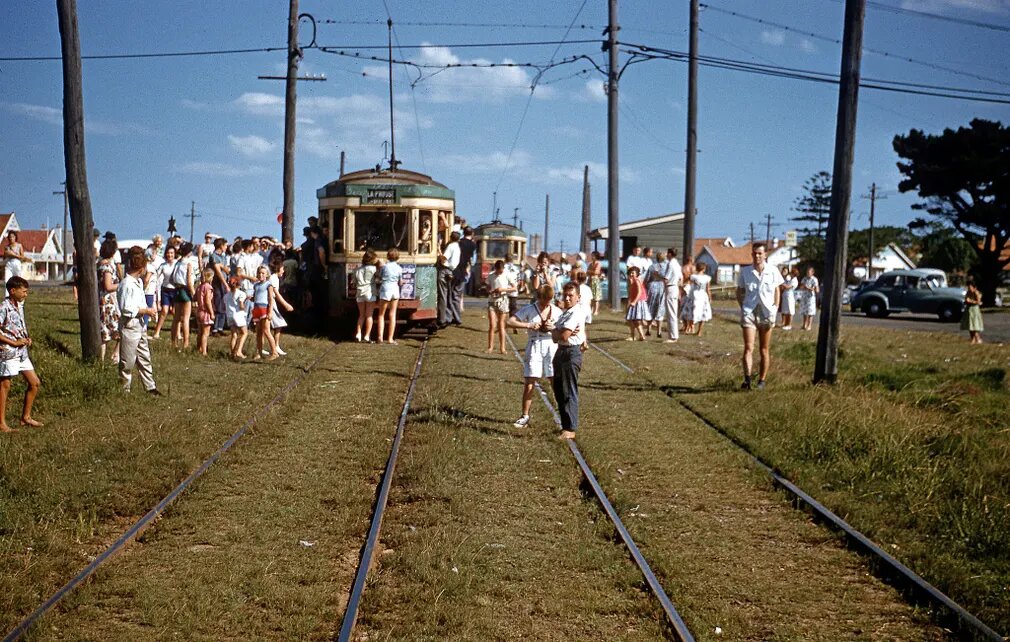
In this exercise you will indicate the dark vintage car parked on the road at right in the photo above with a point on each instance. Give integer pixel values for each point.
(923, 290)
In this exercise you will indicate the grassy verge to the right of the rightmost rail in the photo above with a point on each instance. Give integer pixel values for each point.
(912, 447)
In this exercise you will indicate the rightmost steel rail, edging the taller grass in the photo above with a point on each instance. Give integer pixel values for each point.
(923, 590)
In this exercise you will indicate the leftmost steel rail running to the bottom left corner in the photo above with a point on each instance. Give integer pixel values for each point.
(145, 521)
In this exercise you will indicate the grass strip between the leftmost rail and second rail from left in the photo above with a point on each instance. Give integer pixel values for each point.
(267, 546)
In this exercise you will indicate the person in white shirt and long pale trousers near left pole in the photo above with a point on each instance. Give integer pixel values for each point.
(134, 349)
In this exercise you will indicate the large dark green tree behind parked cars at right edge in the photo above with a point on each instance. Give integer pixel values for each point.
(964, 177)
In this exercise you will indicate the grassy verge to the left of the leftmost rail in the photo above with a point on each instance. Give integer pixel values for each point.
(105, 459)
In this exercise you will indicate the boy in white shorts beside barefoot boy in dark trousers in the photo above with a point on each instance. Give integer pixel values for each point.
(539, 318)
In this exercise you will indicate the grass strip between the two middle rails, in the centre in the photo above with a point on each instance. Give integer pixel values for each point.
(488, 537)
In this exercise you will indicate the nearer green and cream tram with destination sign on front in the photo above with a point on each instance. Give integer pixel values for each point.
(381, 209)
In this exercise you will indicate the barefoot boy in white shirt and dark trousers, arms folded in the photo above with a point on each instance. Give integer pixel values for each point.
(568, 334)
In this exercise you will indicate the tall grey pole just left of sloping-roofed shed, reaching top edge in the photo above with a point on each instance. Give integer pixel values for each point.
(614, 217)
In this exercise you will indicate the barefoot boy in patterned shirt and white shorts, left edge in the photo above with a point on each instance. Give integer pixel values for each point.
(15, 343)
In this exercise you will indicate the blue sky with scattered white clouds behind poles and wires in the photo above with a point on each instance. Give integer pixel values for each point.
(163, 133)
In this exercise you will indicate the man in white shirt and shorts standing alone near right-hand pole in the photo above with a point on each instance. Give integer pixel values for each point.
(758, 294)
